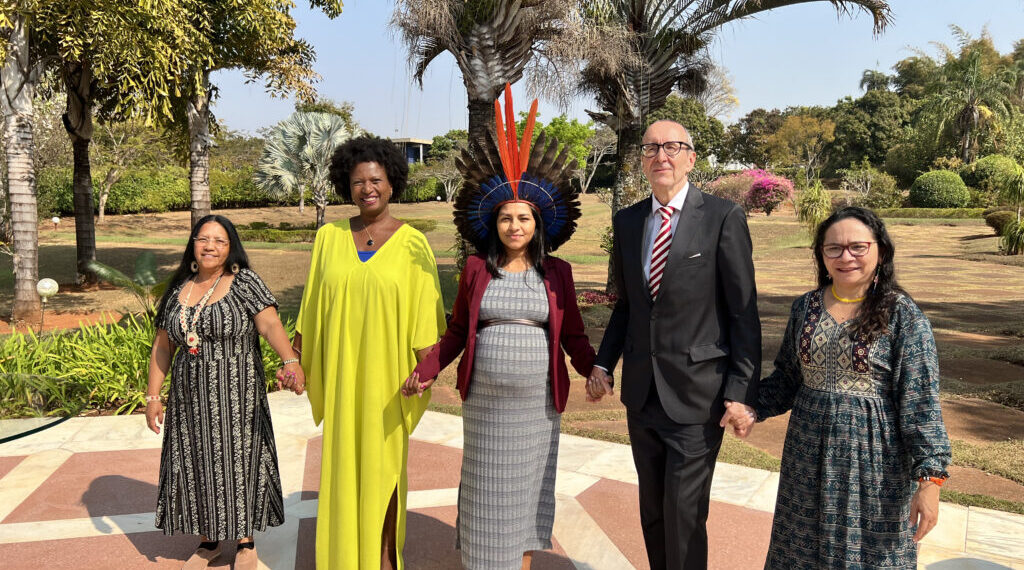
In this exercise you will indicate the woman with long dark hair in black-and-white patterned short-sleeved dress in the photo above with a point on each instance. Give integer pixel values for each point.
(219, 469)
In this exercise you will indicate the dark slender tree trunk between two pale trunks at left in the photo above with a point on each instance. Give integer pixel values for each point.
(78, 123)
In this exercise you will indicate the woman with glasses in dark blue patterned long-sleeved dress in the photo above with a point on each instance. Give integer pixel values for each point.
(867, 451)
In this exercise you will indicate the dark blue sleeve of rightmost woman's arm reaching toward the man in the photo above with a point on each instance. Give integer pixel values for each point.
(778, 392)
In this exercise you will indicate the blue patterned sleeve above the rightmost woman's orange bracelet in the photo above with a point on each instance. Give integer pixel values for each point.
(917, 383)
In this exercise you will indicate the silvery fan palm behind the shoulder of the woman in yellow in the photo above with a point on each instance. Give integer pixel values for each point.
(297, 155)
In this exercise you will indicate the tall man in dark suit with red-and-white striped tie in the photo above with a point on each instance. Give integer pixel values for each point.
(688, 329)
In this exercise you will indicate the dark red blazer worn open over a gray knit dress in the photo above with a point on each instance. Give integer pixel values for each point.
(565, 327)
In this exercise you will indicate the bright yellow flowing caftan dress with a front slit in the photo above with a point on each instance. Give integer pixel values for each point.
(362, 324)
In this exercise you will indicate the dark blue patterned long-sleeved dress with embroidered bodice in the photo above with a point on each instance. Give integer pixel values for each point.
(866, 425)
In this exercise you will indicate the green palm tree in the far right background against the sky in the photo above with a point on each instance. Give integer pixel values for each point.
(969, 98)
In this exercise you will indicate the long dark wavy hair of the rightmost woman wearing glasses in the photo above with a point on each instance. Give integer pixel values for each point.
(873, 320)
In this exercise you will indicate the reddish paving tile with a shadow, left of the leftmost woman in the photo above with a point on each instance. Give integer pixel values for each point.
(96, 485)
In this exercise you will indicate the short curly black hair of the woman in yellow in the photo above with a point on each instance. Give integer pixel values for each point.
(369, 149)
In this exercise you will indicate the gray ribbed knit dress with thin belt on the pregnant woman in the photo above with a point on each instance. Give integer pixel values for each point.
(507, 496)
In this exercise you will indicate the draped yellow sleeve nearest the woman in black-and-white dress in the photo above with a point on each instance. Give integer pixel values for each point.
(309, 325)
